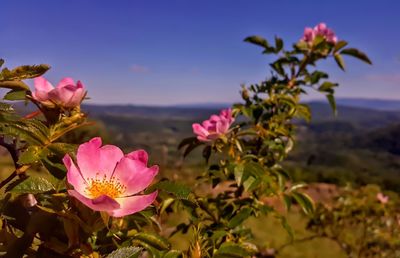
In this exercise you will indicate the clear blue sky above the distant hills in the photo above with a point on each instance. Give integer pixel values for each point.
(179, 51)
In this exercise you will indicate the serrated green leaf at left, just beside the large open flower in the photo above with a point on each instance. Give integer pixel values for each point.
(33, 185)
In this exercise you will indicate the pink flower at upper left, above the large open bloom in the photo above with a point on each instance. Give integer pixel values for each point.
(67, 94)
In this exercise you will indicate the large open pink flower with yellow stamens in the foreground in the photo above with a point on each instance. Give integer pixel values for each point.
(106, 180)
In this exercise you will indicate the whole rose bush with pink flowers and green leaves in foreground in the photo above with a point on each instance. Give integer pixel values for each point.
(90, 200)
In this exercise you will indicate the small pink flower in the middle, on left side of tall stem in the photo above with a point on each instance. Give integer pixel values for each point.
(214, 127)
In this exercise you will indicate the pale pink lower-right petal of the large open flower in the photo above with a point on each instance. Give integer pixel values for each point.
(133, 204)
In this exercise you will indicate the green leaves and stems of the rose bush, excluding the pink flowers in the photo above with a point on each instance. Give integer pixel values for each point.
(243, 169)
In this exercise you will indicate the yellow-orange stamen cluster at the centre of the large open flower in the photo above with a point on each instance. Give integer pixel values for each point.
(104, 186)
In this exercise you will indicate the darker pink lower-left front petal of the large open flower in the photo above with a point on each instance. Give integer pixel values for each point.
(101, 203)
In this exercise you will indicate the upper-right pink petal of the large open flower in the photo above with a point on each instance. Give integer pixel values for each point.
(134, 175)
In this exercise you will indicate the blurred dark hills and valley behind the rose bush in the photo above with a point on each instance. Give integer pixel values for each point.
(363, 139)
